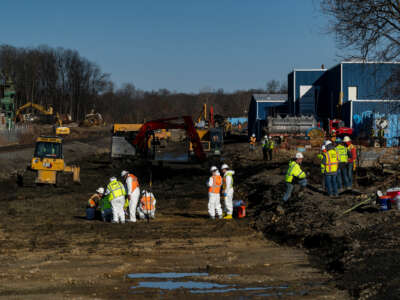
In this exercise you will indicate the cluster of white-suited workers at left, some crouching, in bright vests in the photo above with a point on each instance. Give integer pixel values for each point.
(121, 197)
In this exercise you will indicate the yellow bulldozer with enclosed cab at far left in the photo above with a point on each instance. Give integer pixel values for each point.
(48, 165)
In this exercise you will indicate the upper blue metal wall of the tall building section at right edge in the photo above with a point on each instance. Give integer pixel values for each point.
(369, 78)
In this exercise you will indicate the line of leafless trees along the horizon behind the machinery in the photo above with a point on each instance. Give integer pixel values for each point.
(74, 85)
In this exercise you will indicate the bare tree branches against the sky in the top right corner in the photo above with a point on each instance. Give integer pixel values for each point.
(371, 28)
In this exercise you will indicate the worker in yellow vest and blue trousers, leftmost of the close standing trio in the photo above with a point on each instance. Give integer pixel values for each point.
(331, 164)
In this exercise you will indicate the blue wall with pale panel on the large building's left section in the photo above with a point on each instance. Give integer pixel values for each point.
(306, 78)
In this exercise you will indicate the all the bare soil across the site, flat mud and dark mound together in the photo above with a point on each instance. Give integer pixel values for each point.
(281, 251)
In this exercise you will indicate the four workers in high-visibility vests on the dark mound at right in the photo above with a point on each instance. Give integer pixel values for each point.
(338, 162)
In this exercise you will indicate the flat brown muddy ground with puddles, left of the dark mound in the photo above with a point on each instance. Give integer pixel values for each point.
(49, 251)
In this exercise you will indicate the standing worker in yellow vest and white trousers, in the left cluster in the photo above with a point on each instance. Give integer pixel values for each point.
(116, 195)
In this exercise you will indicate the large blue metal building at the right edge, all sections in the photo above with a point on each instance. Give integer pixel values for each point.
(359, 93)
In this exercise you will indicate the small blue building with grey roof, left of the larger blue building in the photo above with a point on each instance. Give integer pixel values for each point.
(262, 106)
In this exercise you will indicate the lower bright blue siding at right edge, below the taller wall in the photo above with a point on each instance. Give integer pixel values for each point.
(365, 114)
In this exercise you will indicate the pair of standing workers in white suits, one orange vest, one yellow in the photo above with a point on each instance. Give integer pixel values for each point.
(218, 185)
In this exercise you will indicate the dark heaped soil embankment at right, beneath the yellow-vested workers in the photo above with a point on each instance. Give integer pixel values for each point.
(361, 249)
